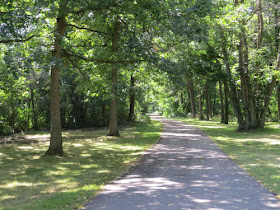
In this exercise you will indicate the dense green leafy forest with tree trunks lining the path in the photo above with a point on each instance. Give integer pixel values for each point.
(81, 64)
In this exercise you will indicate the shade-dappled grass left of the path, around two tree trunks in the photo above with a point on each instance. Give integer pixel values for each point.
(31, 180)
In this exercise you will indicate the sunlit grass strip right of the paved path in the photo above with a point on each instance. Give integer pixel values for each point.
(257, 151)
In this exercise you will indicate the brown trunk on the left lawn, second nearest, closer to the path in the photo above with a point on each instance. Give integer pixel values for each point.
(113, 123)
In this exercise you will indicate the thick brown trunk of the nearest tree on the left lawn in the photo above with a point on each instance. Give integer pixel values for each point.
(55, 147)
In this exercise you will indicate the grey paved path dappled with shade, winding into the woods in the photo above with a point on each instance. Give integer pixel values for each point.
(184, 170)
